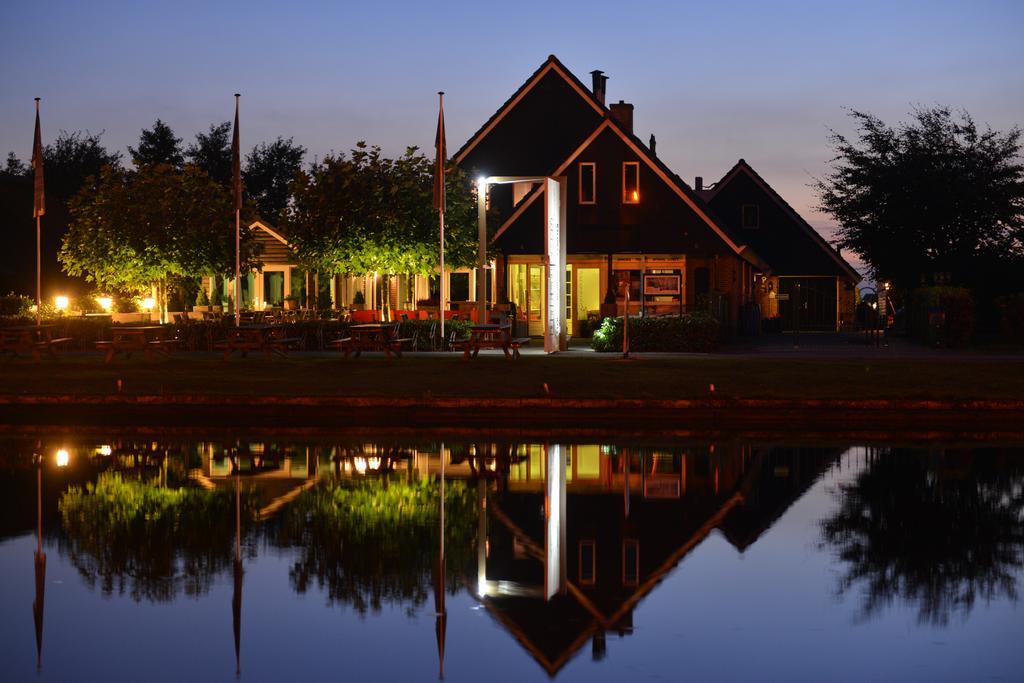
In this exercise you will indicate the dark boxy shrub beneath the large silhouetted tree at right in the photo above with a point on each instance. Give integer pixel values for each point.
(942, 316)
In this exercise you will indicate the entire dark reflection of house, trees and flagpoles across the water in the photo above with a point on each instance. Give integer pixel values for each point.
(560, 544)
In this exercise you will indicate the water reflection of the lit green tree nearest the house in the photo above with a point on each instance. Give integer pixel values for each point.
(374, 541)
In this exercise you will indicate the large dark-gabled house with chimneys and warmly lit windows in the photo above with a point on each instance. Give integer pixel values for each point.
(638, 238)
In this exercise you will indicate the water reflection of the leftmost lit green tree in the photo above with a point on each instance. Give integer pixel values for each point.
(150, 542)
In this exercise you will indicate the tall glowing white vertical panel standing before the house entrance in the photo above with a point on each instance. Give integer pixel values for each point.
(554, 261)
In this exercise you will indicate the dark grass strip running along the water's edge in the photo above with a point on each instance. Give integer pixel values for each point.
(592, 377)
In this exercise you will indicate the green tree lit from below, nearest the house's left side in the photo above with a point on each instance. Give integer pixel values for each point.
(364, 214)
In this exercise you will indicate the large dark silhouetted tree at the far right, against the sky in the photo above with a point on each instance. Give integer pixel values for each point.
(936, 195)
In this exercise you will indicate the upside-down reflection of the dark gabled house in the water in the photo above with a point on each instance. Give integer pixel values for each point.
(629, 523)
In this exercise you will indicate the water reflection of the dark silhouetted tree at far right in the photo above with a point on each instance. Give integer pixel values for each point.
(937, 535)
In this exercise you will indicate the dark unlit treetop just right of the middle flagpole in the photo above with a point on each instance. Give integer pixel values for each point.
(270, 169)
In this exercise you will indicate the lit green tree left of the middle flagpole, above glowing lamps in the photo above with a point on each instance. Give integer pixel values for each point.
(133, 230)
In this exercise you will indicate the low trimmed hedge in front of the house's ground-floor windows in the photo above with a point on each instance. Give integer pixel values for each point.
(693, 332)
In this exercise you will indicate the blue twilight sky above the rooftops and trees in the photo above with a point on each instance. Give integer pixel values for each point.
(715, 81)
